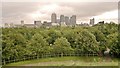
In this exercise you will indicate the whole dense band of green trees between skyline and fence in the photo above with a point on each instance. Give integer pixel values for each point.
(23, 42)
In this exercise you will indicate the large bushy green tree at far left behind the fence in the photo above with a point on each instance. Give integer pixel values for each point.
(12, 45)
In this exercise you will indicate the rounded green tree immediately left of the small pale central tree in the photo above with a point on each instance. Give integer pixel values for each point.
(37, 45)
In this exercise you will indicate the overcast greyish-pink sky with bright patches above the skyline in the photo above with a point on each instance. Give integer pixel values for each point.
(13, 11)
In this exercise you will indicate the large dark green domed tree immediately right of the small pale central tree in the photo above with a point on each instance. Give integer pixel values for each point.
(86, 43)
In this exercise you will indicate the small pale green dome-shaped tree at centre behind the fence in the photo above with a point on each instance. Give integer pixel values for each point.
(62, 46)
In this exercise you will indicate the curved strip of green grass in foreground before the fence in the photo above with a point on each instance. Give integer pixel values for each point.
(68, 61)
